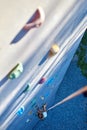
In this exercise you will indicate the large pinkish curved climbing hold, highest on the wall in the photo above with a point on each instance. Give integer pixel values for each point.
(37, 20)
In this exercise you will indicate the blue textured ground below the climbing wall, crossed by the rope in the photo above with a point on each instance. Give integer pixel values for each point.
(71, 115)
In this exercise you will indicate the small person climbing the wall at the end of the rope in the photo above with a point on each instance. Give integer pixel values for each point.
(42, 113)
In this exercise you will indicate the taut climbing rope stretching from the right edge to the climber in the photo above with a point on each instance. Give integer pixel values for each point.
(77, 93)
